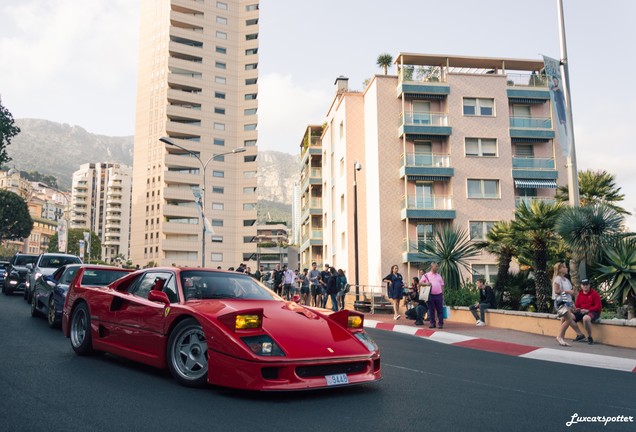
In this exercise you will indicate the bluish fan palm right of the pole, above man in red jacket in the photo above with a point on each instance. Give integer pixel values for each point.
(586, 230)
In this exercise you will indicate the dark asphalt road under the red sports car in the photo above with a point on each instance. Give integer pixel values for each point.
(428, 386)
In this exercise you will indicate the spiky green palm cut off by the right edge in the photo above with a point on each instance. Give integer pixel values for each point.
(618, 270)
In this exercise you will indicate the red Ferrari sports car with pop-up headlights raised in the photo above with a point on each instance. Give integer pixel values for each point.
(221, 328)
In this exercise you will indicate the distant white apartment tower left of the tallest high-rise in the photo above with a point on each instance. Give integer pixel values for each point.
(100, 202)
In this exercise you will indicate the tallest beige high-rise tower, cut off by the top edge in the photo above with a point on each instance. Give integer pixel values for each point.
(197, 85)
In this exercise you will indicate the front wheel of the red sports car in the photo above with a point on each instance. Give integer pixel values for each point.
(187, 354)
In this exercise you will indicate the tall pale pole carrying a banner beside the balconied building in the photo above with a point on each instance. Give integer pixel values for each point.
(573, 179)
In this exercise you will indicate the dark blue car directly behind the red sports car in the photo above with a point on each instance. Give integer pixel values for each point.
(50, 291)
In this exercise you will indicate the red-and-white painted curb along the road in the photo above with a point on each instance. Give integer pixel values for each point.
(512, 349)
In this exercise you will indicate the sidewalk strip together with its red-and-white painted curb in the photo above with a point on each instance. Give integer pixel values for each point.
(511, 342)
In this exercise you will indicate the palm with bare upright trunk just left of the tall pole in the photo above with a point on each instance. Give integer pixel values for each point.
(534, 225)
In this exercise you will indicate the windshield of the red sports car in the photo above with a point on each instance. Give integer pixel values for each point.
(201, 284)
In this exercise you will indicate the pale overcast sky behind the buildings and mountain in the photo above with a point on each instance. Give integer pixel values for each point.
(74, 61)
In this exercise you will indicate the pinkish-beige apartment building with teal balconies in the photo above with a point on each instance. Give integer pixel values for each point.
(447, 140)
